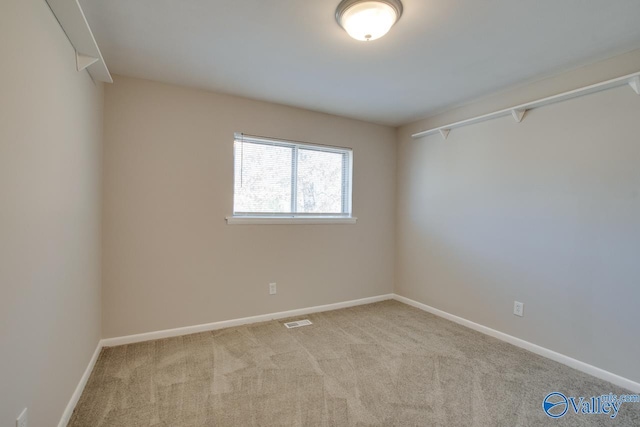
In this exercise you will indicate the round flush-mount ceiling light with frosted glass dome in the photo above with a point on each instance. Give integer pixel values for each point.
(368, 20)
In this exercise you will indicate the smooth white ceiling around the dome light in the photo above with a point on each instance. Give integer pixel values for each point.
(440, 54)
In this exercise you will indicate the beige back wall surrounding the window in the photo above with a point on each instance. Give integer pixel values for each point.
(170, 259)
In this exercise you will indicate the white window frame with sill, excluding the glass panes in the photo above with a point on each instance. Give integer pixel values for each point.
(346, 217)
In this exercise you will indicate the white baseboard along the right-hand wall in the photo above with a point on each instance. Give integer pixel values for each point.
(534, 348)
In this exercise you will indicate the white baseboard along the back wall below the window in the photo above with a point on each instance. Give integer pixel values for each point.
(167, 333)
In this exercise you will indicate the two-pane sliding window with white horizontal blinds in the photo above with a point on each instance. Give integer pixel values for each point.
(284, 179)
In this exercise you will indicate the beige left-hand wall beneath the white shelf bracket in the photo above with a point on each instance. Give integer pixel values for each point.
(50, 191)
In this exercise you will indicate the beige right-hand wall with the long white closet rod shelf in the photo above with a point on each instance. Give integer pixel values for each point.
(546, 212)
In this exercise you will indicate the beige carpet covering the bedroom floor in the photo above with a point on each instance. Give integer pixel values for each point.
(384, 364)
